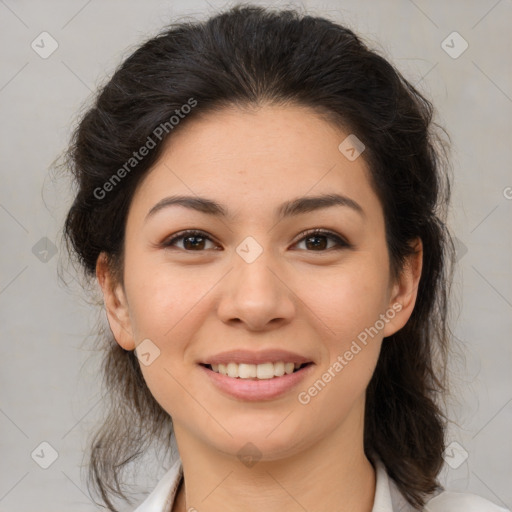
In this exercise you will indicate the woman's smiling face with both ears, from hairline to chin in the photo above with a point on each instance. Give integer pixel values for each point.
(256, 284)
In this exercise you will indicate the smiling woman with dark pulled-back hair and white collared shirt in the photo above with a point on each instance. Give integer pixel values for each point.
(262, 201)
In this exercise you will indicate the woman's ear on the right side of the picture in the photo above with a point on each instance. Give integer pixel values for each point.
(405, 290)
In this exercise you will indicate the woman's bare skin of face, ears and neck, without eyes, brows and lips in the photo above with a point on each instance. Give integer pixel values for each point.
(193, 303)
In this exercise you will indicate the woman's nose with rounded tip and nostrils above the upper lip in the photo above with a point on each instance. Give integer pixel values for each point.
(257, 294)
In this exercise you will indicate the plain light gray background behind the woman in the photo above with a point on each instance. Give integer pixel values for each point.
(49, 387)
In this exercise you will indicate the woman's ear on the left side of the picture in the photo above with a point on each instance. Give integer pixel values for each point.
(116, 304)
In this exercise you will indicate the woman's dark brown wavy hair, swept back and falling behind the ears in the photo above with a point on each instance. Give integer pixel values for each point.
(249, 56)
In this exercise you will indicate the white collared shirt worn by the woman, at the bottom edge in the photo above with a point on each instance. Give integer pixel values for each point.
(388, 498)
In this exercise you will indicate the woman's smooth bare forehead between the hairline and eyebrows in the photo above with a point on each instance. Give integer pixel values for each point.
(251, 159)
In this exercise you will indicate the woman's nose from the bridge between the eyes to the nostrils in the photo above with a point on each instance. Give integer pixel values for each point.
(254, 292)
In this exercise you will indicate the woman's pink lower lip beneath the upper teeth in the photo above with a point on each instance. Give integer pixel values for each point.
(253, 390)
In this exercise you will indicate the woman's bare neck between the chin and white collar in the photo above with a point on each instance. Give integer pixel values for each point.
(331, 475)
